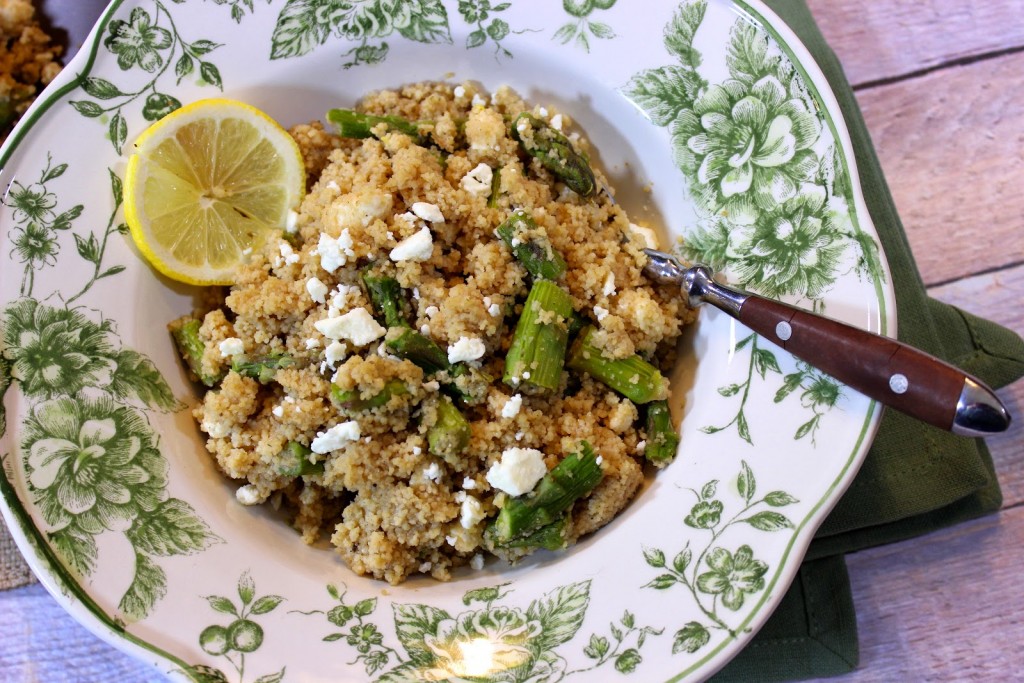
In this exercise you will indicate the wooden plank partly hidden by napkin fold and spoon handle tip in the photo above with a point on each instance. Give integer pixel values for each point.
(998, 296)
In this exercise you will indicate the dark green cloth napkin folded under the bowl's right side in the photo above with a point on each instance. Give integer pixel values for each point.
(916, 479)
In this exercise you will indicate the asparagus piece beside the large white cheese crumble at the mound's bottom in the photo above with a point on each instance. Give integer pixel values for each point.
(570, 481)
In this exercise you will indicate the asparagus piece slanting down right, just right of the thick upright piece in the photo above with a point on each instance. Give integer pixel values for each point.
(633, 377)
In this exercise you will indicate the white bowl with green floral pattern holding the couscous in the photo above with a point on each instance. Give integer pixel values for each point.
(710, 118)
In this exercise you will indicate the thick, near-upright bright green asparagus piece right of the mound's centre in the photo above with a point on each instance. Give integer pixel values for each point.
(538, 351)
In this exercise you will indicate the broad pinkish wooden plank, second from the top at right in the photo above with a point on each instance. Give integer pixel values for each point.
(953, 152)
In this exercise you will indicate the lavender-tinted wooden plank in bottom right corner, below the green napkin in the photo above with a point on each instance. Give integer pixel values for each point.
(947, 607)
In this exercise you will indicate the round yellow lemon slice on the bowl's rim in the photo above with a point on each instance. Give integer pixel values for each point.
(209, 184)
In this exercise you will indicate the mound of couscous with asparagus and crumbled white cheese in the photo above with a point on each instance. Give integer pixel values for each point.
(450, 352)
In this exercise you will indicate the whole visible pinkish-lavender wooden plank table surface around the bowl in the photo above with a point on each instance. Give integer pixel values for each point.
(941, 86)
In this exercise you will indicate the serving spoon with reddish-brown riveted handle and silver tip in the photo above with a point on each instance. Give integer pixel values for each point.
(888, 371)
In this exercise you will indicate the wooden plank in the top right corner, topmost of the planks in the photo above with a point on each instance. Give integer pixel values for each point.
(885, 40)
